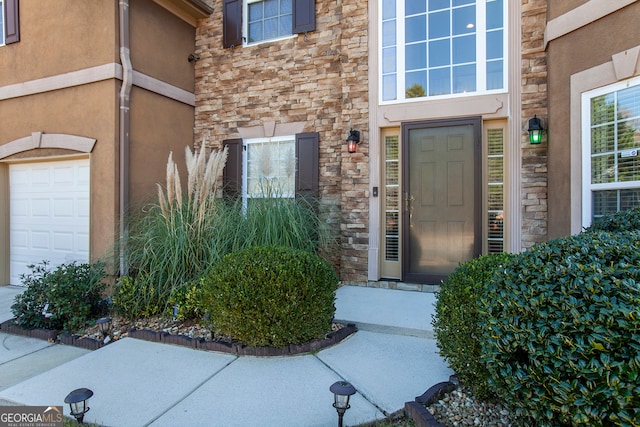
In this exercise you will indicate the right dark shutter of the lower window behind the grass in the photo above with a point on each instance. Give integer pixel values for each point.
(307, 170)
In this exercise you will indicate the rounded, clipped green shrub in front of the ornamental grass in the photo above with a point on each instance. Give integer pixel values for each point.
(271, 296)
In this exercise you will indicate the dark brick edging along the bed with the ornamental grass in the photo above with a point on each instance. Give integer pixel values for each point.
(182, 340)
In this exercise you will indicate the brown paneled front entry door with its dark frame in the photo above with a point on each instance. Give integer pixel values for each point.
(441, 204)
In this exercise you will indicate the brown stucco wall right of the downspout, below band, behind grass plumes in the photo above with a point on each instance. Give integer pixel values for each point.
(158, 126)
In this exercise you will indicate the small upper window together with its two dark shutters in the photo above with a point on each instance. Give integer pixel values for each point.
(254, 21)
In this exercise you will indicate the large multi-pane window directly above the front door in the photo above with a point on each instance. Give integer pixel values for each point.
(441, 47)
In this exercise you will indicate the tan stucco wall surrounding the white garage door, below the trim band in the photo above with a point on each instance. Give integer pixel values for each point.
(89, 111)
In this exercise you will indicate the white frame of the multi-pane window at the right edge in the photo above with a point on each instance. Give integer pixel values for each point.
(587, 187)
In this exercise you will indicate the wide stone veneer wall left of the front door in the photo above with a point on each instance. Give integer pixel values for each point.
(321, 80)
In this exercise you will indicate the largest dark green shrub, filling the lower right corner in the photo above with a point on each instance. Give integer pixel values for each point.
(562, 331)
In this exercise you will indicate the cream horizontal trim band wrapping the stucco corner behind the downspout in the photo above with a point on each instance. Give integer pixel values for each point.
(93, 75)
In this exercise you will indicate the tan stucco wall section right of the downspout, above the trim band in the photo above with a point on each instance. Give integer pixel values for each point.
(161, 43)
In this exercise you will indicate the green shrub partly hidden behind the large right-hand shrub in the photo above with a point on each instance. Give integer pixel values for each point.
(456, 320)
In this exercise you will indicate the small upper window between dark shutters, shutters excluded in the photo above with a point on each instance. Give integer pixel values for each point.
(268, 19)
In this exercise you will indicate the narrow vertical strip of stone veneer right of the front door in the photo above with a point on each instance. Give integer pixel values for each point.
(534, 101)
